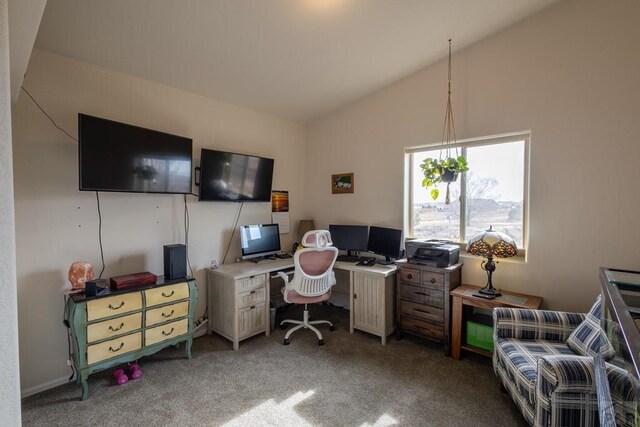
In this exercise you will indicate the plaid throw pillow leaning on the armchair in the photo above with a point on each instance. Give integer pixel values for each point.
(588, 339)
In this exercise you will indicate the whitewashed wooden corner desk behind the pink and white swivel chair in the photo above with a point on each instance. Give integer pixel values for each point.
(238, 297)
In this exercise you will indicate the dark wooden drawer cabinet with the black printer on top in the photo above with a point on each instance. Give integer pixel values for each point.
(423, 302)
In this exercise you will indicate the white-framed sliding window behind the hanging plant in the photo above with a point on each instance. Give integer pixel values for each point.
(492, 193)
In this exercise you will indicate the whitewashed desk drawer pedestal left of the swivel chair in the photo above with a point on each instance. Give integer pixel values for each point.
(237, 306)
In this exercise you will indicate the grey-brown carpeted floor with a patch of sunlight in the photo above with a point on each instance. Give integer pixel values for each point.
(351, 381)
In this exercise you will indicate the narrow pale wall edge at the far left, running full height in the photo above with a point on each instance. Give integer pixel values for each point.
(9, 376)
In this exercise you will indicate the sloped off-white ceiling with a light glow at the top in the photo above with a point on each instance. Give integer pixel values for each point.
(297, 59)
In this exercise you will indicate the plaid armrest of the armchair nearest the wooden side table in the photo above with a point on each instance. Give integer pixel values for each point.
(545, 325)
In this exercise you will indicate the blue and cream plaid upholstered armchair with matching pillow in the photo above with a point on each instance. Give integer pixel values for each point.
(544, 360)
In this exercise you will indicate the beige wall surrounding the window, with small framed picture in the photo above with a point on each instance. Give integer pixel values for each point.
(568, 74)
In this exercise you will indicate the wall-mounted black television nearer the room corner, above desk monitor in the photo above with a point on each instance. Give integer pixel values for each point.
(234, 177)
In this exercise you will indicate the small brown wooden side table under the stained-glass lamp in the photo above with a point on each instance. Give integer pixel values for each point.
(463, 296)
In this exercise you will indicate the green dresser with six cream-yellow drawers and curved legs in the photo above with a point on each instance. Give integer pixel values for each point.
(125, 325)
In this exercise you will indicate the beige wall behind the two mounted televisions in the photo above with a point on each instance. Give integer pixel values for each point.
(57, 224)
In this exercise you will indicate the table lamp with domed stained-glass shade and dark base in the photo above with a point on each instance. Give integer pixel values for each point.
(489, 244)
